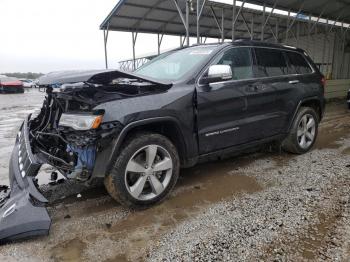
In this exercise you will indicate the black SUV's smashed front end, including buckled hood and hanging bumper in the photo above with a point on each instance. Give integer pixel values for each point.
(69, 134)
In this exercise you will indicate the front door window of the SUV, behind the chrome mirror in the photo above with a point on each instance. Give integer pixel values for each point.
(240, 61)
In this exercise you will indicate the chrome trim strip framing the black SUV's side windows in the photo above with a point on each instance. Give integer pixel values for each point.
(255, 78)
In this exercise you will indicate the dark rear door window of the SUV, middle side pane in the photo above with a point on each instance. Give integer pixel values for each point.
(270, 62)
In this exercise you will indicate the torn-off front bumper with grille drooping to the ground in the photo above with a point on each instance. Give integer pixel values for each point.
(22, 211)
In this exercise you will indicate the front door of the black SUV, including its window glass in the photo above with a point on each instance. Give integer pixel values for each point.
(232, 112)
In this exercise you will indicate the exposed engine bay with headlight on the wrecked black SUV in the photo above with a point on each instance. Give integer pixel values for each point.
(57, 136)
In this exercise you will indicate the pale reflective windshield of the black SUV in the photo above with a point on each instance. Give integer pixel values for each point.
(174, 65)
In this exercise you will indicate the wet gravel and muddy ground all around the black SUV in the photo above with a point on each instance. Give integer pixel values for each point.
(264, 205)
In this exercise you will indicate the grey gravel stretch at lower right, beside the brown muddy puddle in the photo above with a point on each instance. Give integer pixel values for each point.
(302, 214)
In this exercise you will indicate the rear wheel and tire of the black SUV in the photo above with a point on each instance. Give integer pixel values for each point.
(303, 132)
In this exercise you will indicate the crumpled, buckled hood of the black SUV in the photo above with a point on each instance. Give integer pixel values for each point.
(91, 76)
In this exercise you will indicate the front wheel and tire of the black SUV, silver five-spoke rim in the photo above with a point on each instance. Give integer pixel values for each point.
(145, 171)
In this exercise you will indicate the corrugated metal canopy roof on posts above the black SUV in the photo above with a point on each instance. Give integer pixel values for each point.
(162, 16)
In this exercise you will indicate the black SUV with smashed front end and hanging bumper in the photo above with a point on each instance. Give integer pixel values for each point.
(136, 130)
